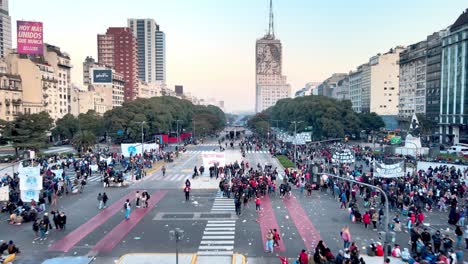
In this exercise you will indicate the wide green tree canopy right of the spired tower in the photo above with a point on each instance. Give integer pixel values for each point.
(325, 117)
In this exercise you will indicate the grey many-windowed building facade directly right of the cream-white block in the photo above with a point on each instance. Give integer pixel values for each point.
(412, 81)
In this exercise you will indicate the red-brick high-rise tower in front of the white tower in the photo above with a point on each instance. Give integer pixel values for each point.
(118, 49)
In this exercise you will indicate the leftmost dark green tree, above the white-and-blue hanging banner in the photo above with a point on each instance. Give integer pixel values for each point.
(29, 131)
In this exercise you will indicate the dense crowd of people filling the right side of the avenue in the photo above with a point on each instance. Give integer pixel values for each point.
(438, 190)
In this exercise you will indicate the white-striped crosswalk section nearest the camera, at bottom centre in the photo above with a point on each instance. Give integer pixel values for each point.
(218, 238)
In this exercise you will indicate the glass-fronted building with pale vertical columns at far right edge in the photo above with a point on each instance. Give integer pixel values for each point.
(453, 116)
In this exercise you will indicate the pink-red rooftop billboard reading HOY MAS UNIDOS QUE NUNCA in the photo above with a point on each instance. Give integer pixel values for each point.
(29, 37)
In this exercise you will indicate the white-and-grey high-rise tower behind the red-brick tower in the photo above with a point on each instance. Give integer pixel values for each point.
(151, 49)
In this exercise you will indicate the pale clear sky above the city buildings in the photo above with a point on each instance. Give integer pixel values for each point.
(210, 44)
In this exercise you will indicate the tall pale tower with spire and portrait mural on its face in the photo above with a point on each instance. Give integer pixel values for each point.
(271, 85)
